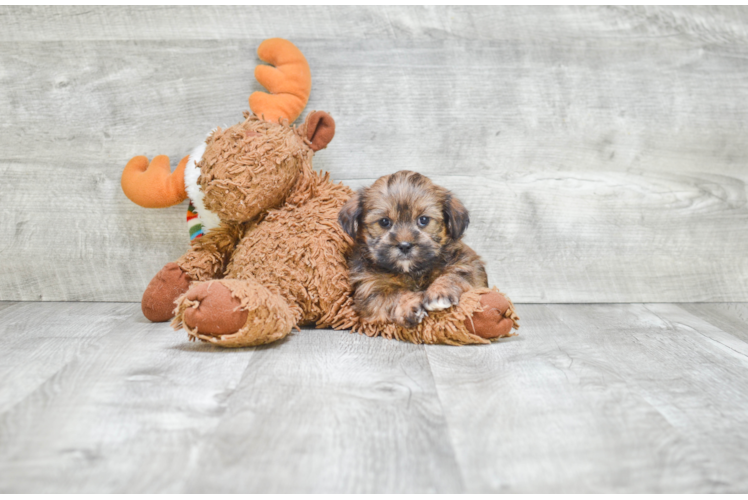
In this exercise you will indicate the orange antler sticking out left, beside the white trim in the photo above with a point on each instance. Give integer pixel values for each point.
(153, 186)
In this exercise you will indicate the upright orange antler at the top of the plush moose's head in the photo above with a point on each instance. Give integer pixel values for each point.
(290, 81)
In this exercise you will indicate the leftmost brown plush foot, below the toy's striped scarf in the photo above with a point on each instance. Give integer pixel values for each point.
(166, 287)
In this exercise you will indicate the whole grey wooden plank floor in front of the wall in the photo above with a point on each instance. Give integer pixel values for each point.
(628, 398)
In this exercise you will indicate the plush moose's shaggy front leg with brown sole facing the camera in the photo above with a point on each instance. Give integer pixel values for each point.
(234, 313)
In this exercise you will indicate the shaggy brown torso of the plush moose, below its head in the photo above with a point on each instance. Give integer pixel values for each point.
(292, 257)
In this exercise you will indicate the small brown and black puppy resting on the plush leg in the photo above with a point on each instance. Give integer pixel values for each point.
(408, 258)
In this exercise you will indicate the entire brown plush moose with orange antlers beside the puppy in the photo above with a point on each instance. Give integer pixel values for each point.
(267, 253)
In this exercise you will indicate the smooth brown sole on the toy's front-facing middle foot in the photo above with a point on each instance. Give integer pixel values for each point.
(218, 313)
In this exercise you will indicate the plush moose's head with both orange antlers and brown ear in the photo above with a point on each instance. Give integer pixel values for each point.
(253, 165)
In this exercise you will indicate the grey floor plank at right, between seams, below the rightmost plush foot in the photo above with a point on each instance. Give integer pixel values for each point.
(600, 398)
